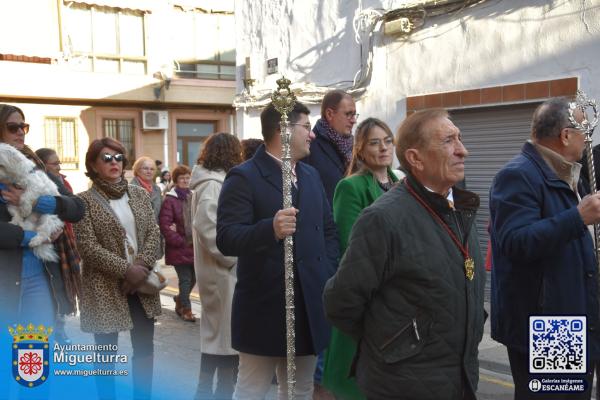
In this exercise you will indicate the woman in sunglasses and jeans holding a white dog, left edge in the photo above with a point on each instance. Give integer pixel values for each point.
(32, 290)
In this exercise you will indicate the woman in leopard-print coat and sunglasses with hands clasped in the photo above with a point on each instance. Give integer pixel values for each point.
(118, 240)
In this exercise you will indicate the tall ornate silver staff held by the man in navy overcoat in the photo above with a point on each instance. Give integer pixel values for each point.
(284, 100)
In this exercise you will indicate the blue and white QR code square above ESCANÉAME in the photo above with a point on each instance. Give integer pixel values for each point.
(557, 344)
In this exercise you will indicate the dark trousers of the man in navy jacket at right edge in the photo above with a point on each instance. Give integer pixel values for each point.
(519, 366)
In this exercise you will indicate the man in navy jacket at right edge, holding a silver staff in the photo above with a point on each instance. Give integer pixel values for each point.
(543, 252)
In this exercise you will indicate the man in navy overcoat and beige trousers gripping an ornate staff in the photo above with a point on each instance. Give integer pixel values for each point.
(251, 226)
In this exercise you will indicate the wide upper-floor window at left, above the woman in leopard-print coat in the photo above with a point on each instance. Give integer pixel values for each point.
(105, 39)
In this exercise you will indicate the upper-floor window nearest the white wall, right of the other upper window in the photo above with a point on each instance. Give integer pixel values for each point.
(204, 45)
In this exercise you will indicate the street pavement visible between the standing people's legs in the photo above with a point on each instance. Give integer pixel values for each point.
(177, 352)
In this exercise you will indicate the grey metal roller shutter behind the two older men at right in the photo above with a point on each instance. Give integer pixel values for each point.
(492, 136)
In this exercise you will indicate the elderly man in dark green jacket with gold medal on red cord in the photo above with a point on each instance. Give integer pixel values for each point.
(410, 286)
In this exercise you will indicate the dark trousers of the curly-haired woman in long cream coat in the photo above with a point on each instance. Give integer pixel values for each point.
(226, 368)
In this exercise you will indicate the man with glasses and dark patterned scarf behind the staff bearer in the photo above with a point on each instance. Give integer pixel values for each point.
(331, 151)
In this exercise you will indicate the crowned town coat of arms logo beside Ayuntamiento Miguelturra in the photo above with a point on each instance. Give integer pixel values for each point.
(30, 354)
